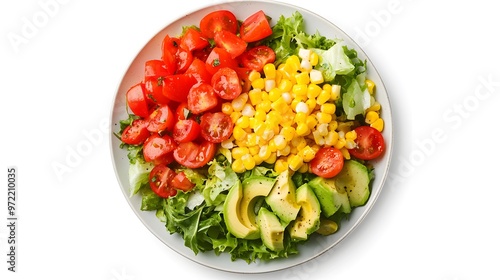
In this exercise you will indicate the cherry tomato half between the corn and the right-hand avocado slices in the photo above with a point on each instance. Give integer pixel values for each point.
(327, 162)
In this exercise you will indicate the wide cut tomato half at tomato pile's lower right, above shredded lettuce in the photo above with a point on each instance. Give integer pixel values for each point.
(195, 155)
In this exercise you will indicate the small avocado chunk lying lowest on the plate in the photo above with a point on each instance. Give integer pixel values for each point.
(272, 232)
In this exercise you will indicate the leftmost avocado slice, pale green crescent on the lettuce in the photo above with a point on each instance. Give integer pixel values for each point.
(232, 215)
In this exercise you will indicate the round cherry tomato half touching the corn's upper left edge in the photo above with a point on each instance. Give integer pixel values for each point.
(226, 83)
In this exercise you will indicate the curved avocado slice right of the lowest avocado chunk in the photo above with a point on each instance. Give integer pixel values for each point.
(308, 219)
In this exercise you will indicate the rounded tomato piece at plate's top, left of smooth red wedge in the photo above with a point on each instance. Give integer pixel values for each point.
(217, 21)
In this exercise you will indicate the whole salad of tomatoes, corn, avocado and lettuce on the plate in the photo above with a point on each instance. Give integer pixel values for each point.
(248, 138)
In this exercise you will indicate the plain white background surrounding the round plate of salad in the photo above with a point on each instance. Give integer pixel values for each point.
(435, 219)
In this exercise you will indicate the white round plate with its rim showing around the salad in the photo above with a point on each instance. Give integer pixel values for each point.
(317, 245)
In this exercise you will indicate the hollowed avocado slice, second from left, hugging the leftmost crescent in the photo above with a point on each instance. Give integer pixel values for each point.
(254, 187)
